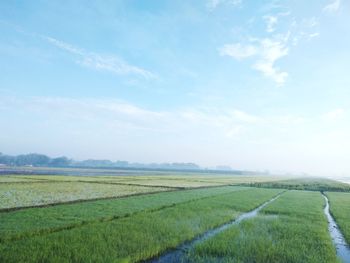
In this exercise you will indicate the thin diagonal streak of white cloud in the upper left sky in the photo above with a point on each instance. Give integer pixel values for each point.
(96, 61)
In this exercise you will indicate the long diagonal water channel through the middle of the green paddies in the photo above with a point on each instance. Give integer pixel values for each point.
(179, 253)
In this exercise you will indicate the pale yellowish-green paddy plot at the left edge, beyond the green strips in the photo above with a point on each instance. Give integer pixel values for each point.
(41, 193)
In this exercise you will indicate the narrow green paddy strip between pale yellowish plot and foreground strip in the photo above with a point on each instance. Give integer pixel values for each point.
(31, 221)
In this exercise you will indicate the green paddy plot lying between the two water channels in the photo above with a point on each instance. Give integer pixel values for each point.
(291, 229)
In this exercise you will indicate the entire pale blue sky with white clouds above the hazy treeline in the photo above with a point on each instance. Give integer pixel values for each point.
(256, 85)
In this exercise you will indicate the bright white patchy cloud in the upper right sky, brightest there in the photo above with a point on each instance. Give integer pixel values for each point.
(268, 50)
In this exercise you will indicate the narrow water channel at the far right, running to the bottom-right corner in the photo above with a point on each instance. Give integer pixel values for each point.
(343, 250)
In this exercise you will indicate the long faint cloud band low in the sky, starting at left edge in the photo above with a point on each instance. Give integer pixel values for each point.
(130, 118)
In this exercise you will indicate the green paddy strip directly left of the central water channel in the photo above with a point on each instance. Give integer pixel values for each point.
(137, 237)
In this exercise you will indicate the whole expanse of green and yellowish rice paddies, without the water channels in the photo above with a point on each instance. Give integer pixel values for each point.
(135, 218)
